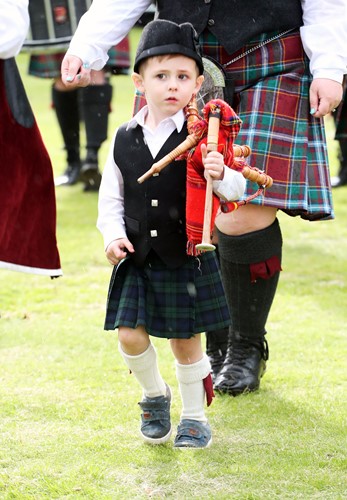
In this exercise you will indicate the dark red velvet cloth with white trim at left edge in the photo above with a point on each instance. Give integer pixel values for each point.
(27, 197)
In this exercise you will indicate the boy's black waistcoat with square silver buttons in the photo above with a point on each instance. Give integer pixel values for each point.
(154, 210)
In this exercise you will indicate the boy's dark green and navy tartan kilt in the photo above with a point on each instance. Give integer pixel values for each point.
(169, 303)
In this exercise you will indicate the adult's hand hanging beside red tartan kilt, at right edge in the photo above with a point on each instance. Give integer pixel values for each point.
(325, 96)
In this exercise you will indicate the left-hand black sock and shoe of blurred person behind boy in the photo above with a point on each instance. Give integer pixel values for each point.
(66, 108)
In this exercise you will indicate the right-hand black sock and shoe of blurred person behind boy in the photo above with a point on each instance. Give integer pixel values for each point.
(95, 102)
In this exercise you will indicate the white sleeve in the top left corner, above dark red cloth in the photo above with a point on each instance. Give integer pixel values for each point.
(14, 25)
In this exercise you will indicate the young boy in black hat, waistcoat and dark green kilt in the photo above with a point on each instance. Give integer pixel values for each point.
(156, 288)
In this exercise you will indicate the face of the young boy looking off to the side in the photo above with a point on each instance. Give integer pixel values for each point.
(168, 83)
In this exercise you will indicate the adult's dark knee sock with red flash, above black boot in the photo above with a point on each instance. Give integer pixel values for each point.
(250, 266)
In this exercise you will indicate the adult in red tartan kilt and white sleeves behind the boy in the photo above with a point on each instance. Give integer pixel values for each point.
(283, 64)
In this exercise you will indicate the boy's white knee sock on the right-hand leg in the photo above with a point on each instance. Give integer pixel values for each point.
(190, 379)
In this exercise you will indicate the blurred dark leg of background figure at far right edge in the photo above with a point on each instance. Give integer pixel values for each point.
(340, 118)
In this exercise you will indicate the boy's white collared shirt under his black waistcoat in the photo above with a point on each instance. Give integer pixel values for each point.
(111, 194)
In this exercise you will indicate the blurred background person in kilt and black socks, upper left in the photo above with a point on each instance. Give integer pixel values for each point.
(91, 105)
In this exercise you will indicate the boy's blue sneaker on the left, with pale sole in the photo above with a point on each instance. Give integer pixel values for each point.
(155, 418)
